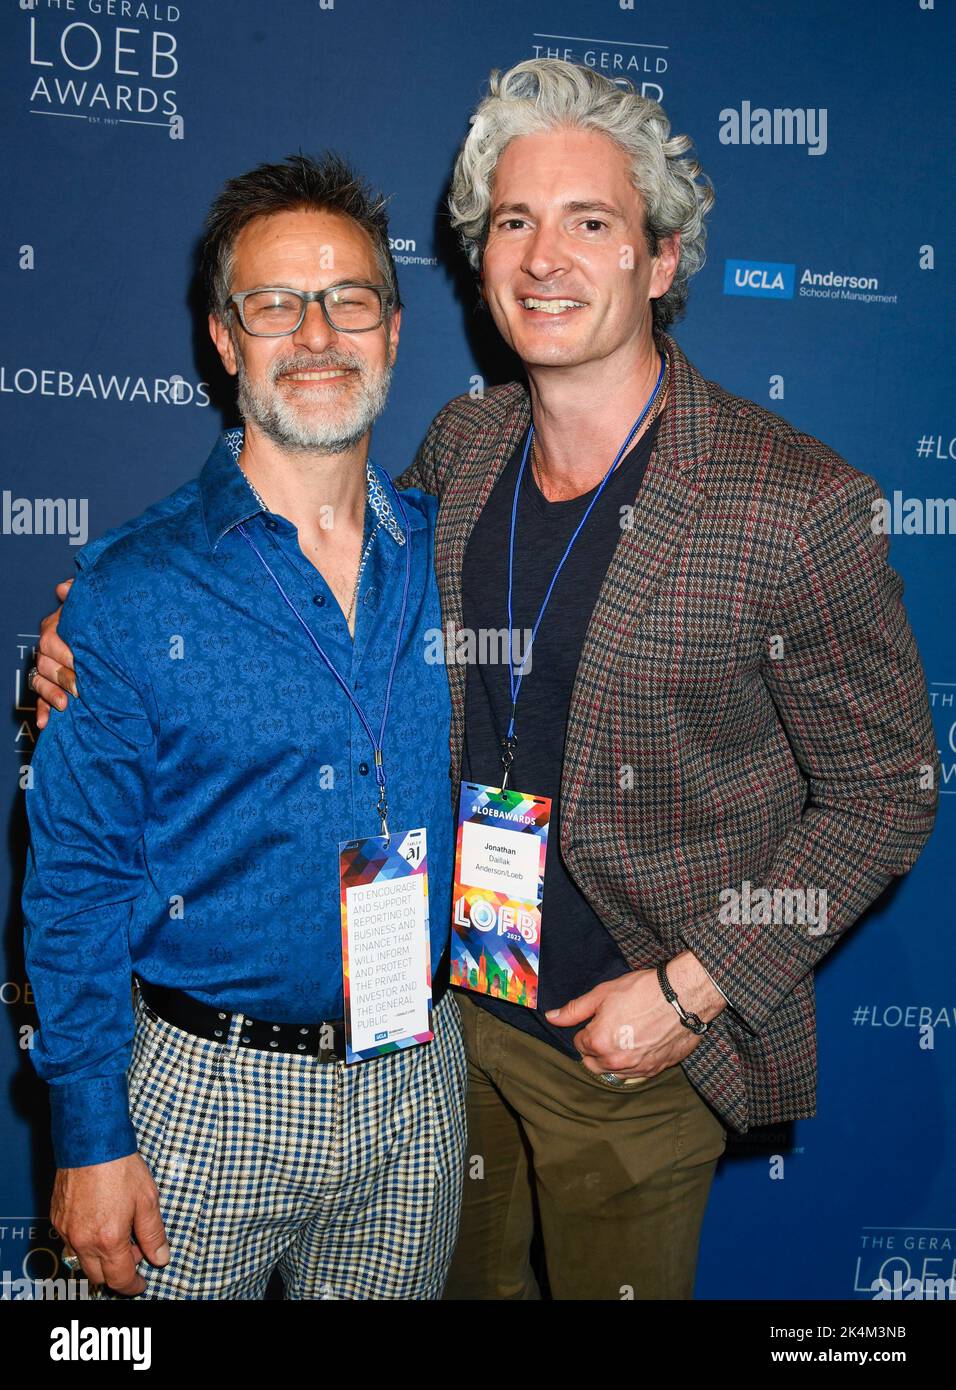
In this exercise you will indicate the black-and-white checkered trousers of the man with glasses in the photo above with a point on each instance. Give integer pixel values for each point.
(348, 1179)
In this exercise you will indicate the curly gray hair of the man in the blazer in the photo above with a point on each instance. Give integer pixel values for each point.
(547, 94)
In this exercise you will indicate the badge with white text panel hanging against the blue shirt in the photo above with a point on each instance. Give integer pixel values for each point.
(386, 949)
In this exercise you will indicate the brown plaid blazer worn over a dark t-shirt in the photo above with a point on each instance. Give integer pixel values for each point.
(695, 760)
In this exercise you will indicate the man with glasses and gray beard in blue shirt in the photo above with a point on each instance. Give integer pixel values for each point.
(217, 847)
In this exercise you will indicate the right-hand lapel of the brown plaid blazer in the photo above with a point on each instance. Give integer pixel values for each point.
(664, 514)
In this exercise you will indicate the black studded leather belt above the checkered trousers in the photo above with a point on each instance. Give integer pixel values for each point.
(322, 1040)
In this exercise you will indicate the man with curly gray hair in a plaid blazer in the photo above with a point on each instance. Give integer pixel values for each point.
(726, 692)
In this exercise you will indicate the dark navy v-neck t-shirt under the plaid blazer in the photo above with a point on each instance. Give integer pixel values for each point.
(577, 951)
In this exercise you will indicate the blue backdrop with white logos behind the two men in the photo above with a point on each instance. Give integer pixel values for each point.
(124, 119)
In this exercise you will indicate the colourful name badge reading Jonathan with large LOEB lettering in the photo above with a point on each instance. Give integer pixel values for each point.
(500, 885)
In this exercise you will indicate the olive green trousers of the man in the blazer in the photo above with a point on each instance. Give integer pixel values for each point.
(618, 1178)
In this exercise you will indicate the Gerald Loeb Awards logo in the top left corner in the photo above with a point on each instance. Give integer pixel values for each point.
(105, 62)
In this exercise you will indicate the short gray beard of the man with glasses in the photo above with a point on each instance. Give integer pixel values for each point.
(281, 423)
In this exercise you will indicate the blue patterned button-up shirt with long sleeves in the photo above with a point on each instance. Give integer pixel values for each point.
(187, 808)
